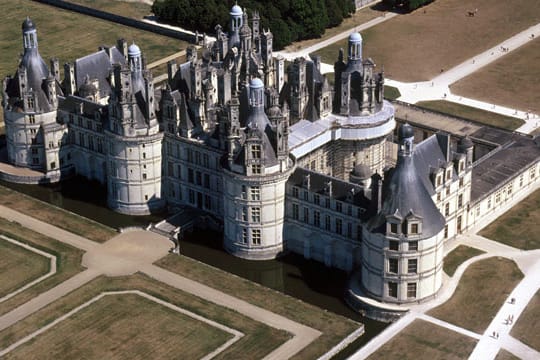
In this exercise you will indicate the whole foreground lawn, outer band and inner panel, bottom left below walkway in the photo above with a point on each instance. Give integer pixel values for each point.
(130, 319)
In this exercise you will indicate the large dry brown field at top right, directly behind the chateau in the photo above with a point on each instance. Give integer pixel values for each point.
(416, 46)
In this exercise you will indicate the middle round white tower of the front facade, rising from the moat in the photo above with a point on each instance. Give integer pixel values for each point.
(254, 186)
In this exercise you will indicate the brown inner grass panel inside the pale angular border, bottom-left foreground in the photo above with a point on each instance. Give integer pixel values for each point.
(126, 327)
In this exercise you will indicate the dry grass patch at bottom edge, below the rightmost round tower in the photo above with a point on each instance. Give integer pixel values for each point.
(422, 340)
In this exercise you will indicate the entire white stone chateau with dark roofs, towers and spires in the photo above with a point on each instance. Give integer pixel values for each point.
(282, 158)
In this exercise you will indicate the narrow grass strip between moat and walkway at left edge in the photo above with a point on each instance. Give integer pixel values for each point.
(55, 216)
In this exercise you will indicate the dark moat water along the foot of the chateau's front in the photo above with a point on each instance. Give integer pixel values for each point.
(307, 280)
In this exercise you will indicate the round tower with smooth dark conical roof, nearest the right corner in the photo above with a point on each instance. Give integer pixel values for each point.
(402, 248)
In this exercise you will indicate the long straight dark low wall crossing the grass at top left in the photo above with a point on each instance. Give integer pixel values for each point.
(120, 20)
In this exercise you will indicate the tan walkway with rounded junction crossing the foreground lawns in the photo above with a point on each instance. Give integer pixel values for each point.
(135, 251)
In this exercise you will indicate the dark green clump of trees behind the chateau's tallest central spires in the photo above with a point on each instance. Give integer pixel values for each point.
(289, 20)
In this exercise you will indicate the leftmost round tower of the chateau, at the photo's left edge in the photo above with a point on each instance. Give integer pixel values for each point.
(30, 111)
